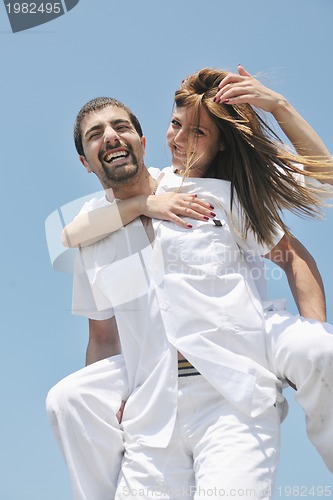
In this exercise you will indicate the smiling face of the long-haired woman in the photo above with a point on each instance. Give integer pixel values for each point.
(206, 141)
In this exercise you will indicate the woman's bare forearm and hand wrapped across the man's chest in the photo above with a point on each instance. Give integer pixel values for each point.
(93, 226)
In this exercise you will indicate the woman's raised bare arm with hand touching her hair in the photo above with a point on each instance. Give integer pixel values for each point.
(244, 88)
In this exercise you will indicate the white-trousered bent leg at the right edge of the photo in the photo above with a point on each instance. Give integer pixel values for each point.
(301, 351)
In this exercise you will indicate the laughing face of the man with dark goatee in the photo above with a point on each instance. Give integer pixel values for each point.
(113, 149)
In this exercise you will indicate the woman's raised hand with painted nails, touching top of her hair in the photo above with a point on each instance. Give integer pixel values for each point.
(243, 88)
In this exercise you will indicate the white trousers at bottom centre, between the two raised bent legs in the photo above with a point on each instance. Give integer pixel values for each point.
(215, 451)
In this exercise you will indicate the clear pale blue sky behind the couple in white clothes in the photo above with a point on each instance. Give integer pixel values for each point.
(137, 52)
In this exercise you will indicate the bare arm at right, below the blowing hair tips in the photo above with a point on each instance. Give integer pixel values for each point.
(303, 276)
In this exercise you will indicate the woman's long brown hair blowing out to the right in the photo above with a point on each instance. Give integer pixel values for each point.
(259, 167)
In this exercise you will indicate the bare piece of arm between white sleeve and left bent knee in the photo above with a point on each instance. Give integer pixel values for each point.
(103, 340)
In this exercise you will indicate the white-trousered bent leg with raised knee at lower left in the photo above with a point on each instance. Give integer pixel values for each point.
(82, 409)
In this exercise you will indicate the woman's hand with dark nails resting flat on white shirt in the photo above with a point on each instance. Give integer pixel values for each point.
(173, 206)
